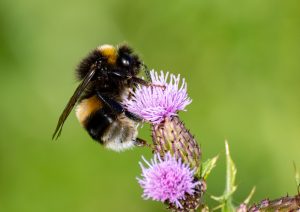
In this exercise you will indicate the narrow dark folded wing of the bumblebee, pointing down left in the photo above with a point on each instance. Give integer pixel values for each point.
(73, 100)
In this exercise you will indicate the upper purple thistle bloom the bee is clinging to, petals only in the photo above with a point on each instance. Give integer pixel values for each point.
(155, 103)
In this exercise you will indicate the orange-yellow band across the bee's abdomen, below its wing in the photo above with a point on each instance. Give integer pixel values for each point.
(86, 107)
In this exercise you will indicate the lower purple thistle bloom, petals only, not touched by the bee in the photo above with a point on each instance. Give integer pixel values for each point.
(167, 179)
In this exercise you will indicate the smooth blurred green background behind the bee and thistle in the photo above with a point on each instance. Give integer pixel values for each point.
(241, 62)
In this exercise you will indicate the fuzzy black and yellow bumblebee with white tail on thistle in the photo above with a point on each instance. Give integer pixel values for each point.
(106, 76)
